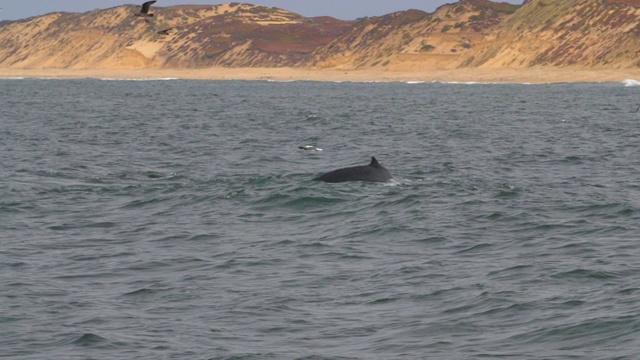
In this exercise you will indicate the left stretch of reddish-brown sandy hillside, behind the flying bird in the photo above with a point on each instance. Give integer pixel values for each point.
(199, 36)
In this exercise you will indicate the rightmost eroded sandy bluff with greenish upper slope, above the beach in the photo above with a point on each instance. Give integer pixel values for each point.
(581, 33)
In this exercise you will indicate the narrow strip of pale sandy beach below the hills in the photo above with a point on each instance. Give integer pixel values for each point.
(503, 75)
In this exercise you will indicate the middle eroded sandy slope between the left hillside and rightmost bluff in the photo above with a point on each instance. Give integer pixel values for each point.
(442, 39)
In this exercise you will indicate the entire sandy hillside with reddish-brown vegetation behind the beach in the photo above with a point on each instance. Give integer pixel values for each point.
(467, 33)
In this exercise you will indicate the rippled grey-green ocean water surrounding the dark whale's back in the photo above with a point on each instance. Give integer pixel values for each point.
(178, 219)
